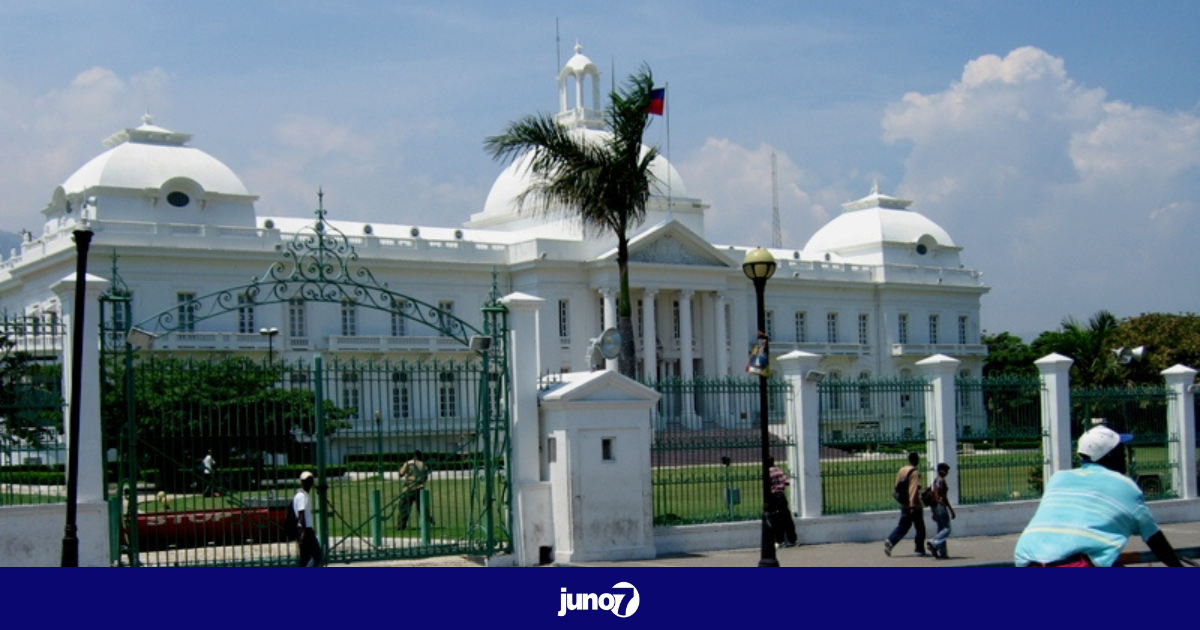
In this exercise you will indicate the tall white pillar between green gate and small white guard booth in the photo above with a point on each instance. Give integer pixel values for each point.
(531, 495)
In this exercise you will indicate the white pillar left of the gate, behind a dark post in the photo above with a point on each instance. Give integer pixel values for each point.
(92, 453)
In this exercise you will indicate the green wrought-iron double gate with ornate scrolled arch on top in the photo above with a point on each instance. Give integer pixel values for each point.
(272, 419)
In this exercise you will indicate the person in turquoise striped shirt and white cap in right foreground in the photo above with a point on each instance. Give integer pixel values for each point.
(1088, 514)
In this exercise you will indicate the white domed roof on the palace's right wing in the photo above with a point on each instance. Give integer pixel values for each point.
(879, 220)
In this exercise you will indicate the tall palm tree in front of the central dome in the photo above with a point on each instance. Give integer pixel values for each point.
(604, 181)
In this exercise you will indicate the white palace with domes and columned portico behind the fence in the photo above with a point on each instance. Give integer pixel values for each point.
(873, 292)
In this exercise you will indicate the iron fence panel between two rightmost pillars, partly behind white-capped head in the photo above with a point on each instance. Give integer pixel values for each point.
(1141, 411)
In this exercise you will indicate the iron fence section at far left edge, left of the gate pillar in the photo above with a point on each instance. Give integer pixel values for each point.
(32, 442)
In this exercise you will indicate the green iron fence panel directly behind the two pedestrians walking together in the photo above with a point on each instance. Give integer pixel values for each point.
(867, 430)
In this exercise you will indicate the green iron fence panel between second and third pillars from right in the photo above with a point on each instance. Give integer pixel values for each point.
(999, 439)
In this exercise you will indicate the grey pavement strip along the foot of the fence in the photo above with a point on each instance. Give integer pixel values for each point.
(964, 553)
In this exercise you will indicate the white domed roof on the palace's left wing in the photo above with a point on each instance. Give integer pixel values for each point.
(148, 158)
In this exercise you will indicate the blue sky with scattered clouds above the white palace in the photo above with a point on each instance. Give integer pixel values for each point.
(1059, 143)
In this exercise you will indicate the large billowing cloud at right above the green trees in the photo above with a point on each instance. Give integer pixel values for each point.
(1059, 194)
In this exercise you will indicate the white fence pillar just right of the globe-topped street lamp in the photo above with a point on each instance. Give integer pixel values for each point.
(803, 416)
